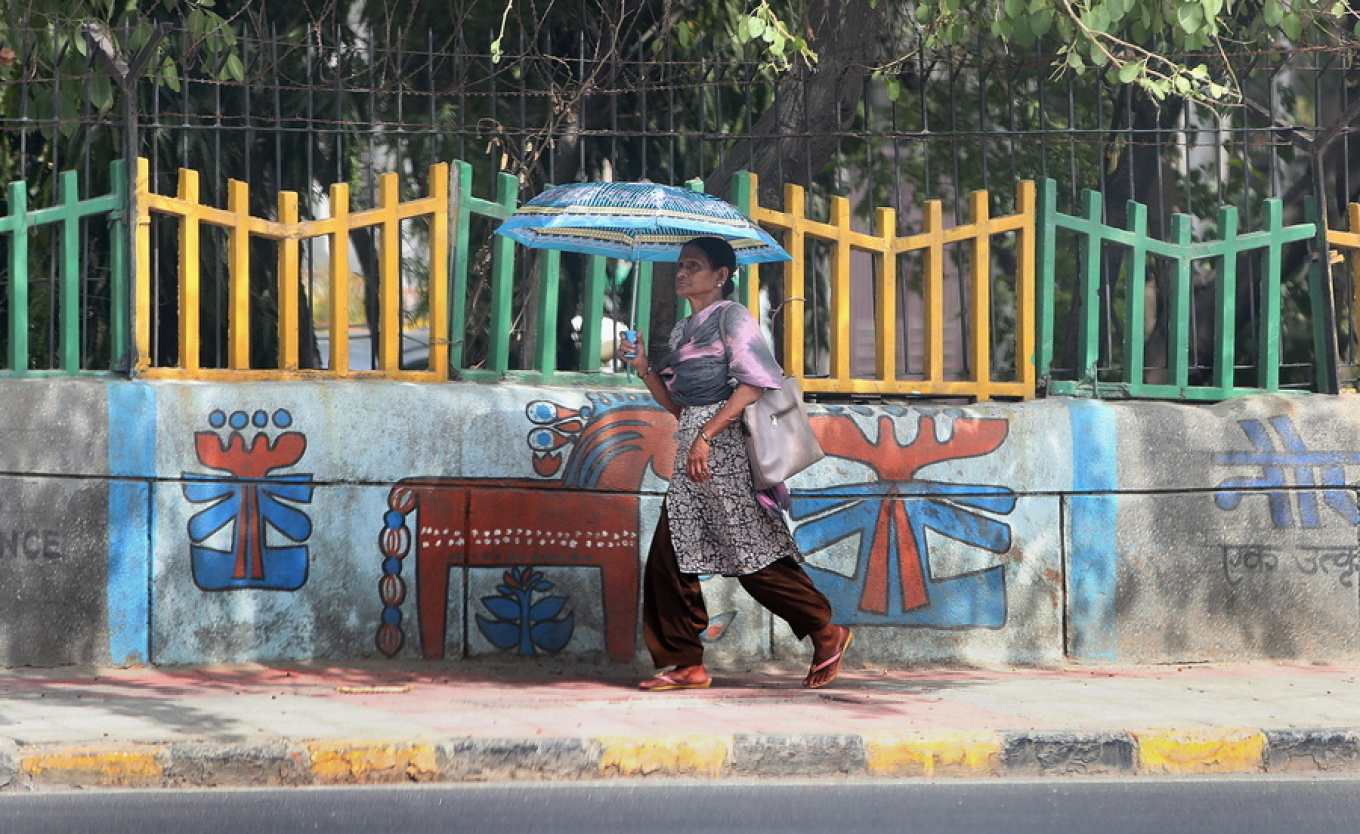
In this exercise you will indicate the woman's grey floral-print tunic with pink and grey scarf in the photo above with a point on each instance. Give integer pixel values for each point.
(719, 526)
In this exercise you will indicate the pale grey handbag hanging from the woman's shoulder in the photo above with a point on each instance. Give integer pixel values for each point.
(780, 439)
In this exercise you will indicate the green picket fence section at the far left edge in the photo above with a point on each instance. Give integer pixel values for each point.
(71, 311)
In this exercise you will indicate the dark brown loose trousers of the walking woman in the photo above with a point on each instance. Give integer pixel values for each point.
(674, 614)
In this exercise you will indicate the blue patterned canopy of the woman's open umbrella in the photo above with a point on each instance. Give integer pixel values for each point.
(636, 222)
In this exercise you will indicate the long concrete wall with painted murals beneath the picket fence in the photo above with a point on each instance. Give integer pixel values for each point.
(194, 523)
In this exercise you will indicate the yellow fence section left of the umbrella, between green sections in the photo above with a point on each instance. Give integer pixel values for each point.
(289, 232)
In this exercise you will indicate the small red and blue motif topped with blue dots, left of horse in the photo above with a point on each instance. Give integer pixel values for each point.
(256, 500)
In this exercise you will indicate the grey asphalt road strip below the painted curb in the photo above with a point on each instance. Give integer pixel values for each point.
(1053, 806)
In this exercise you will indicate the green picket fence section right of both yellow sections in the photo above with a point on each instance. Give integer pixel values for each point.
(1115, 314)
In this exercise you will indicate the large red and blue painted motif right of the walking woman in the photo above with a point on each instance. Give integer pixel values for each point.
(893, 582)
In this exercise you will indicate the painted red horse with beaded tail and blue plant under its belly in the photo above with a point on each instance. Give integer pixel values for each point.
(583, 511)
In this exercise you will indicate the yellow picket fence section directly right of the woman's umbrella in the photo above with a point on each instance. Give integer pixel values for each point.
(886, 247)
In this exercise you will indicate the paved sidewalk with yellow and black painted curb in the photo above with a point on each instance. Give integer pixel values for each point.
(444, 722)
